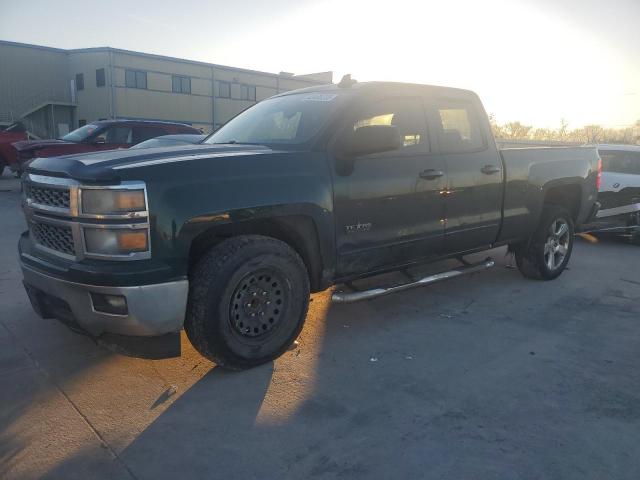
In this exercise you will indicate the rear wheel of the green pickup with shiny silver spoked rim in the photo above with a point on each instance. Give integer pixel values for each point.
(547, 253)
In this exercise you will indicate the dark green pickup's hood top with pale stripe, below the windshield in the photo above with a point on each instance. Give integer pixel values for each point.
(100, 167)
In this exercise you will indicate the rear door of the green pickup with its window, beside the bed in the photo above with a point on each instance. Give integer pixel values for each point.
(473, 195)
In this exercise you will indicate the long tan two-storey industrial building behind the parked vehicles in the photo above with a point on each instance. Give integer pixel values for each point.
(53, 91)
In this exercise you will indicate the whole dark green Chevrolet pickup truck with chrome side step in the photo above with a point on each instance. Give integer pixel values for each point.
(303, 191)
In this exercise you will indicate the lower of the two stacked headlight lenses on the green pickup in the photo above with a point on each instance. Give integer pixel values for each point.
(115, 241)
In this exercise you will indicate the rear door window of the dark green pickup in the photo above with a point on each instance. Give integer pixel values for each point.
(458, 127)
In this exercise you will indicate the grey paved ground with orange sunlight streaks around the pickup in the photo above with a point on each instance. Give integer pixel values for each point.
(489, 376)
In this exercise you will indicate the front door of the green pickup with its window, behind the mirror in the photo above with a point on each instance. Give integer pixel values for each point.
(389, 208)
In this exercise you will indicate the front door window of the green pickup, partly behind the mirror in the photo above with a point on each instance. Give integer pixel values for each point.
(406, 114)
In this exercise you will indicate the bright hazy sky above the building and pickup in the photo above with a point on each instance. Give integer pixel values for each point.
(535, 61)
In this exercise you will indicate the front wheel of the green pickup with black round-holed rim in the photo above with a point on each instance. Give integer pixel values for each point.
(248, 299)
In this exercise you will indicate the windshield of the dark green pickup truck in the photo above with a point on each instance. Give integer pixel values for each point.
(289, 120)
